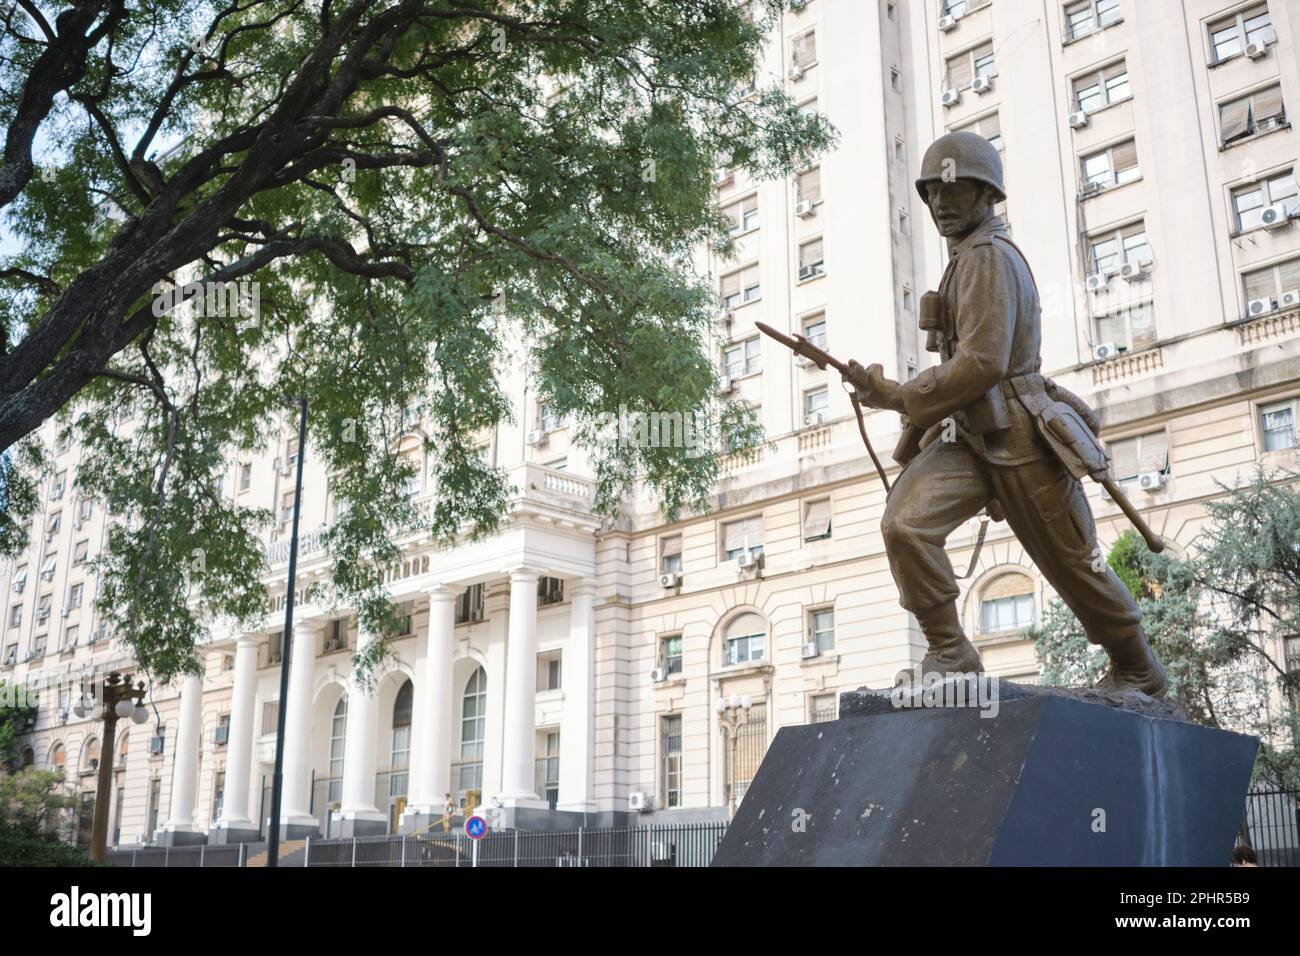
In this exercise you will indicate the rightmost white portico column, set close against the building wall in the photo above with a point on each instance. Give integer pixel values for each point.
(578, 721)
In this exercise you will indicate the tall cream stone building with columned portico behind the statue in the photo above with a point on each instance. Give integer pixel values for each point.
(560, 669)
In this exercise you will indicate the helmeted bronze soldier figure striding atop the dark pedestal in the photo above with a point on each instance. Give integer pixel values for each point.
(985, 430)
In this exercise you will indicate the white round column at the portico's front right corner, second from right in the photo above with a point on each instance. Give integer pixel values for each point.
(518, 768)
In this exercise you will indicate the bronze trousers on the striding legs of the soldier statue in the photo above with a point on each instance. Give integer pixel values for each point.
(1046, 507)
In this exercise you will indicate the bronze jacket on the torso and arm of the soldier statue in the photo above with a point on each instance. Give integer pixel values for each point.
(993, 332)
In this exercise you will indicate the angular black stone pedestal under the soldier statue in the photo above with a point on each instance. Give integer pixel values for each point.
(1050, 781)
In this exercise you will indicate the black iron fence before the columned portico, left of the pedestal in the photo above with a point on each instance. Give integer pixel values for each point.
(686, 845)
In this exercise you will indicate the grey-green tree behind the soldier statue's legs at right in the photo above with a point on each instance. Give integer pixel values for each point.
(1214, 620)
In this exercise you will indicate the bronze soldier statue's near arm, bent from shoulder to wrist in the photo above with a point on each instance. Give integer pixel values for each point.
(986, 323)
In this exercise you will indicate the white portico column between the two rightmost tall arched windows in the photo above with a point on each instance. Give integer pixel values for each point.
(431, 736)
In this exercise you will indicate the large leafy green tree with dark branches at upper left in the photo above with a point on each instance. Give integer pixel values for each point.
(219, 205)
